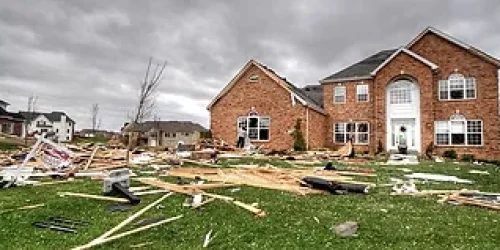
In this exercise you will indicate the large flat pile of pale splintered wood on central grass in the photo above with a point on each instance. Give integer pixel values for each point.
(289, 180)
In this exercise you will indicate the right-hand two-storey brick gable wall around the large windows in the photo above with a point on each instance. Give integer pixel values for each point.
(451, 57)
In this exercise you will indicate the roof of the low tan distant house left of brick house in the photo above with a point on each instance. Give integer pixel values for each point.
(166, 126)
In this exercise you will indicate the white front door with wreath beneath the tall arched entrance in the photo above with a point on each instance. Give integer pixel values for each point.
(403, 128)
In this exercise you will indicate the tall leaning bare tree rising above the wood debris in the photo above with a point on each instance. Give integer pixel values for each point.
(147, 97)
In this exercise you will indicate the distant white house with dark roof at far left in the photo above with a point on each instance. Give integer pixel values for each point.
(55, 122)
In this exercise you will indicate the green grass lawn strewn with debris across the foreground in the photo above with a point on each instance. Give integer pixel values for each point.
(386, 222)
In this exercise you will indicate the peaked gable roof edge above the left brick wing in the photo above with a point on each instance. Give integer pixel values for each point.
(299, 94)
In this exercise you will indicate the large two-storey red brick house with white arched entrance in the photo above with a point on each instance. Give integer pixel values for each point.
(440, 93)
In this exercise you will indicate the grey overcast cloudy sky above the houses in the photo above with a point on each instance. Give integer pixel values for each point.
(72, 54)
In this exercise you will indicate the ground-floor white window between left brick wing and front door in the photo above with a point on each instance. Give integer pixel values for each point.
(357, 131)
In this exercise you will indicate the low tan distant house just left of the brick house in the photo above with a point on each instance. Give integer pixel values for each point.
(168, 133)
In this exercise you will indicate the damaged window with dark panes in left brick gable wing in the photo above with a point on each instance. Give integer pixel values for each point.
(257, 127)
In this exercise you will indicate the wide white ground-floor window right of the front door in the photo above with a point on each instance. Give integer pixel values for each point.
(466, 133)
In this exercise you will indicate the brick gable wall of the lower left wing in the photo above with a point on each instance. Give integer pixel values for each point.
(269, 99)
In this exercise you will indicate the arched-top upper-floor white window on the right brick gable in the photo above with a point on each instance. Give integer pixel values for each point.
(457, 87)
